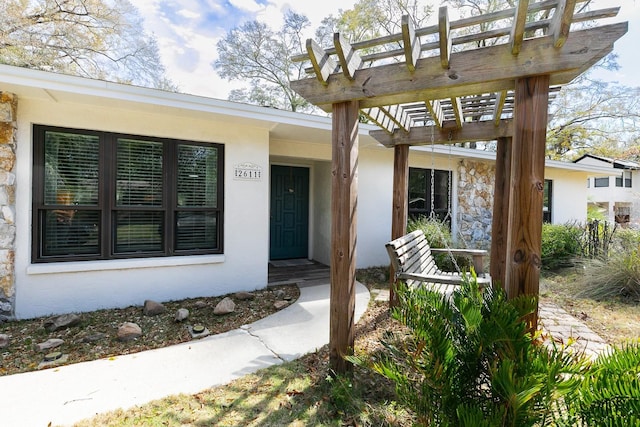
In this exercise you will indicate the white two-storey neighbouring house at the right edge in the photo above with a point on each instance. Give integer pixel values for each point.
(618, 194)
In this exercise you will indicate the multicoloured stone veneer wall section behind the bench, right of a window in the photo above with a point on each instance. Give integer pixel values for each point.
(475, 203)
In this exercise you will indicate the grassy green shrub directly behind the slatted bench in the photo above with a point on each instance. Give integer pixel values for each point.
(439, 236)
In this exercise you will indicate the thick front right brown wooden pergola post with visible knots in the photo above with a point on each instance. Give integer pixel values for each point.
(524, 239)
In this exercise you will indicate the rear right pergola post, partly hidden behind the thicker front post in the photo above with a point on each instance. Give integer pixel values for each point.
(500, 221)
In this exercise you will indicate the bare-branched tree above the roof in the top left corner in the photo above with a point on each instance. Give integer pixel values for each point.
(90, 38)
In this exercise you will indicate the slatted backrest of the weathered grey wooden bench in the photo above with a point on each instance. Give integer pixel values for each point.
(411, 253)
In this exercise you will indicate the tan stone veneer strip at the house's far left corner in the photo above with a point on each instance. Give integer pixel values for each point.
(8, 109)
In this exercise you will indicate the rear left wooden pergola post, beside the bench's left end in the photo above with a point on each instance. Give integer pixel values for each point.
(400, 206)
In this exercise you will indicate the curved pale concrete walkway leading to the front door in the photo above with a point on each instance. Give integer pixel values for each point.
(67, 394)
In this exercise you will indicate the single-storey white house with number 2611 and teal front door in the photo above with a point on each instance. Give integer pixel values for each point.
(112, 194)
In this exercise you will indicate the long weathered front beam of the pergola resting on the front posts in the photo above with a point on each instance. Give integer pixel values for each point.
(491, 69)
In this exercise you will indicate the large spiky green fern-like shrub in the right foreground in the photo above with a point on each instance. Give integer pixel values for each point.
(467, 360)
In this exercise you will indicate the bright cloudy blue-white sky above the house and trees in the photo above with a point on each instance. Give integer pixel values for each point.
(188, 30)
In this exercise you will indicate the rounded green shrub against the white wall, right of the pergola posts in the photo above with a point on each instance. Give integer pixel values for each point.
(561, 244)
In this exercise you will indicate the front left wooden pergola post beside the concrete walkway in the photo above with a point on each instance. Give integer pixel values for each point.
(344, 198)
